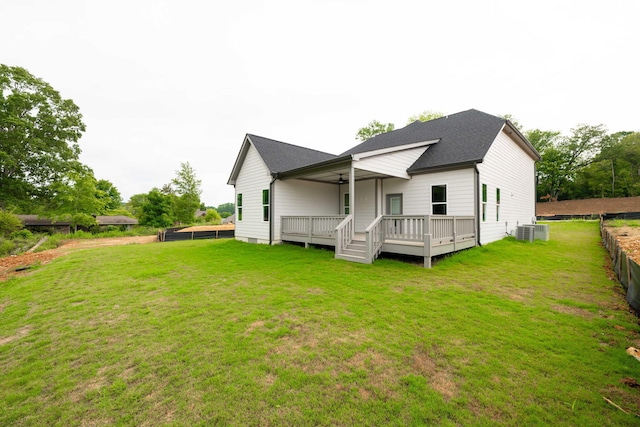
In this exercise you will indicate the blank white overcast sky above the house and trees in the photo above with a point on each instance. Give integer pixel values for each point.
(164, 82)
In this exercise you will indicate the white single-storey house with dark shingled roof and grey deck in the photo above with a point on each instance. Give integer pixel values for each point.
(426, 189)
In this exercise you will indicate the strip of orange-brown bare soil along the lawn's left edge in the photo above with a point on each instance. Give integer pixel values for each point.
(14, 264)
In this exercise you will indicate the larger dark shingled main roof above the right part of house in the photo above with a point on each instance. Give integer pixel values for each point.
(463, 137)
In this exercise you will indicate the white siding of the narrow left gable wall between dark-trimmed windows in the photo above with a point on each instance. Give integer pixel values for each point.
(252, 179)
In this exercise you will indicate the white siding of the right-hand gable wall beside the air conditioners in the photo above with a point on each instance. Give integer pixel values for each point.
(508, 168)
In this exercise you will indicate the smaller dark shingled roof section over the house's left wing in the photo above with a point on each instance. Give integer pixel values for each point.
(280, 156)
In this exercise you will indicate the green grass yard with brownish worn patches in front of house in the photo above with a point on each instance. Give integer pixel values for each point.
(225, 333)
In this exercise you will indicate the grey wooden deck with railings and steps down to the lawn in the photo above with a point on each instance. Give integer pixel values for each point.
(425, 236)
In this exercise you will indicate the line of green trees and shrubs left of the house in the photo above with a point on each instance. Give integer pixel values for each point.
(40, 170)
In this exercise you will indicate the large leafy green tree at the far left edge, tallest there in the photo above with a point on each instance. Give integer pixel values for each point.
(39, 131)
